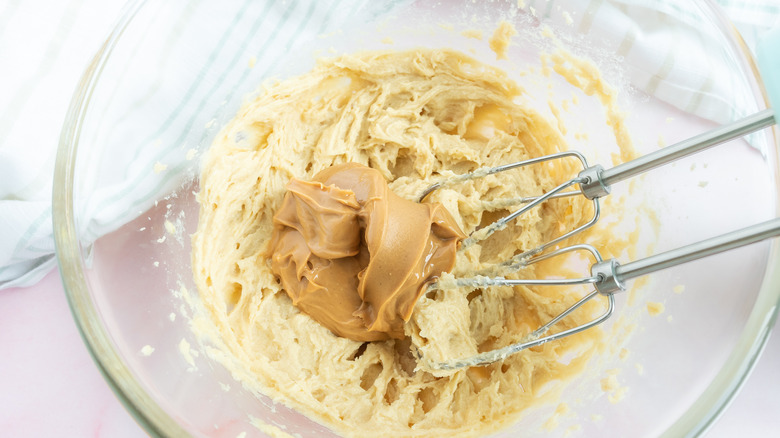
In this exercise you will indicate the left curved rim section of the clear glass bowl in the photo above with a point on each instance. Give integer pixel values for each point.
(146, 412)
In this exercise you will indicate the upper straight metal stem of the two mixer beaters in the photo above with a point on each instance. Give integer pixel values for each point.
(714, 137)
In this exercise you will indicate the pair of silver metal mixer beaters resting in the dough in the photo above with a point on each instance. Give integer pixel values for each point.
(606, 276)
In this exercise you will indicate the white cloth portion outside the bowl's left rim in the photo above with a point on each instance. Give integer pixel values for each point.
(44, 48)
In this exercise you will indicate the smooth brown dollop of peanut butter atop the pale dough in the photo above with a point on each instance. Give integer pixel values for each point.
(355, 256)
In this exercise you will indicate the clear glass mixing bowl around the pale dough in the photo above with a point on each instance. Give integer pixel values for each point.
(171, 73)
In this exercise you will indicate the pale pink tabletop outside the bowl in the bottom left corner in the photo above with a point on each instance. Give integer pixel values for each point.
(49, 385)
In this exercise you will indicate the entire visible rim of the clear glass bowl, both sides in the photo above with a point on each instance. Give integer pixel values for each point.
(696, 420)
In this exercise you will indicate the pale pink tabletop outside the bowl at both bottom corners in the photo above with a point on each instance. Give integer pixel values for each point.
(49, 385)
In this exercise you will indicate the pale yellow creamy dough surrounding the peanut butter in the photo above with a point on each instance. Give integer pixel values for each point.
(415, 117)
